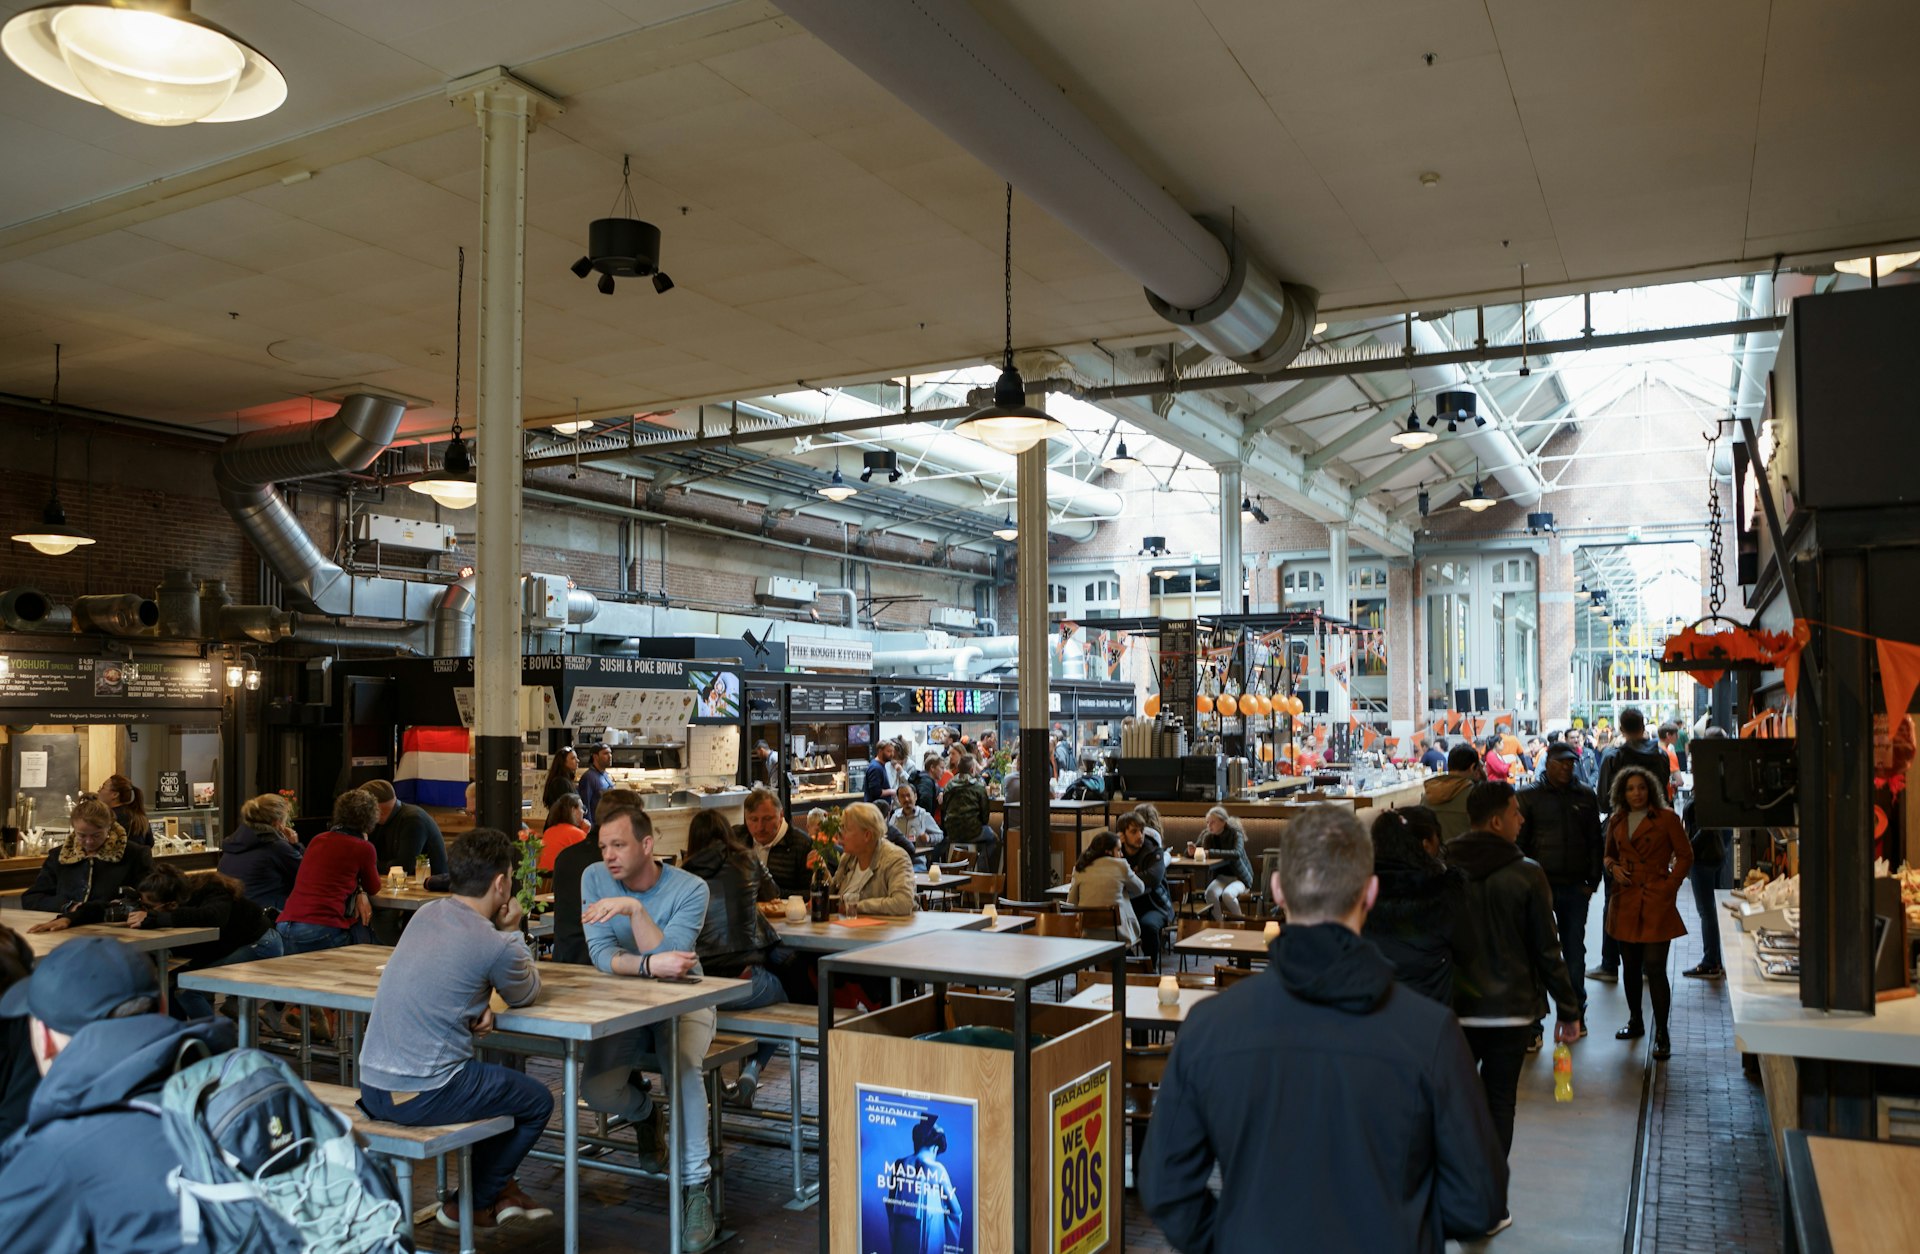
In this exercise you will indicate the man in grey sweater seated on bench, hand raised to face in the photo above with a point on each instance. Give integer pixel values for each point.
(420, 1063)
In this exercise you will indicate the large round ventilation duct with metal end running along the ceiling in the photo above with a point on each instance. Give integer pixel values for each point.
(946, 62)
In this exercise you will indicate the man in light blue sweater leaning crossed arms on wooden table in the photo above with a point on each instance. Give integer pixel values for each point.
(642, 919)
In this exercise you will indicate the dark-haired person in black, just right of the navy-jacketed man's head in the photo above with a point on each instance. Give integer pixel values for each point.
(1418, 909)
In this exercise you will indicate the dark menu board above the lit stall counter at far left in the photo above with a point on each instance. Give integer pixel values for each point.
(66, 688)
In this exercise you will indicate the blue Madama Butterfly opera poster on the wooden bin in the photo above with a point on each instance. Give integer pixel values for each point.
(919, 1172)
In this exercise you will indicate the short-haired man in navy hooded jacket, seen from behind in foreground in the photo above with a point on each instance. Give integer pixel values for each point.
(1324, 1074)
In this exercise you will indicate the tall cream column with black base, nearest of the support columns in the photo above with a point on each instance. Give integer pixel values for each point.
(508, 112)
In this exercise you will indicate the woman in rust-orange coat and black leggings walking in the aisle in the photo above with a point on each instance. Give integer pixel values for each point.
(1648, 857)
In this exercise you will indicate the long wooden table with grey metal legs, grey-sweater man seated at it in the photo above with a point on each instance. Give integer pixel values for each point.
(577, 1005)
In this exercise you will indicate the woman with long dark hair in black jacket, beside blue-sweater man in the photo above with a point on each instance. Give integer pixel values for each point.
(736, 940)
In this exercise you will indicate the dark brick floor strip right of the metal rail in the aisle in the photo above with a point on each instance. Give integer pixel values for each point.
(1710, 1165)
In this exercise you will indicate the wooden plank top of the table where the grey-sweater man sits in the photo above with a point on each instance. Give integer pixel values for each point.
(577, 1003)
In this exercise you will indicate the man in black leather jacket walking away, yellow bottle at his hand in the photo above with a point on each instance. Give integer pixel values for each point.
(1514, 959)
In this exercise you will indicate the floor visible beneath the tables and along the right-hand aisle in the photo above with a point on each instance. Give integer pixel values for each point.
(1708, 1182)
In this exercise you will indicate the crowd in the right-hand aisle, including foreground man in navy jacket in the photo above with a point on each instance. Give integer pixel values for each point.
(1381, 1078)
